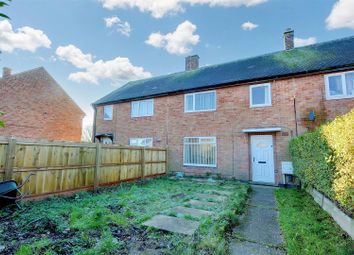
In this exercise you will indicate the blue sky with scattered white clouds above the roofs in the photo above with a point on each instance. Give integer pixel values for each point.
(90, 56)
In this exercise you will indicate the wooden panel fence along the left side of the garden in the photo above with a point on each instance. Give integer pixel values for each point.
(62, 167)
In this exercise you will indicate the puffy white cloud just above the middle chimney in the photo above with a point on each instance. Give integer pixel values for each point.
(177, 42)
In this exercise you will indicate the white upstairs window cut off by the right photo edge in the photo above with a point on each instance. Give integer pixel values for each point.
(339, 85)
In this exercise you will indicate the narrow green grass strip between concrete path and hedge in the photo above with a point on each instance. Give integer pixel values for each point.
(307, 228)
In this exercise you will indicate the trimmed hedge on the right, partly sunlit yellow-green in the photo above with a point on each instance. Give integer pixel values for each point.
(324, 159)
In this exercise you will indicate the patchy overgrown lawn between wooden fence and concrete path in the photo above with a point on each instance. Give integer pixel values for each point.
(109, 221)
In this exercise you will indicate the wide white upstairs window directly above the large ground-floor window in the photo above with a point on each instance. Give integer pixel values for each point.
(200, 102)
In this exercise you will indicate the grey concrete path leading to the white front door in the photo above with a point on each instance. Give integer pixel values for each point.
(259, 231)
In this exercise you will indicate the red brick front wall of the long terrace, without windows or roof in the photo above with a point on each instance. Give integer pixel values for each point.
(170, 124)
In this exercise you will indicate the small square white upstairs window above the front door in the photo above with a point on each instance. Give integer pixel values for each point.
(260, 95)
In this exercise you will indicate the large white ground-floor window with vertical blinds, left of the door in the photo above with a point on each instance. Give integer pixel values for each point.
(199, 151)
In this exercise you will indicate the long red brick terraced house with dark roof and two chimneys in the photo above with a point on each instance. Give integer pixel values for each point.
(233, 119)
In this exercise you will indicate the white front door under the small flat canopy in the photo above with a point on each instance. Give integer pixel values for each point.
(262, 158)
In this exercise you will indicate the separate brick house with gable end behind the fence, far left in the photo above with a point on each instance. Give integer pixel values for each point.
(36, 107)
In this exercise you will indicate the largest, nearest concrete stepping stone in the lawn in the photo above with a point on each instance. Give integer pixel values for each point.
(173, 224)
